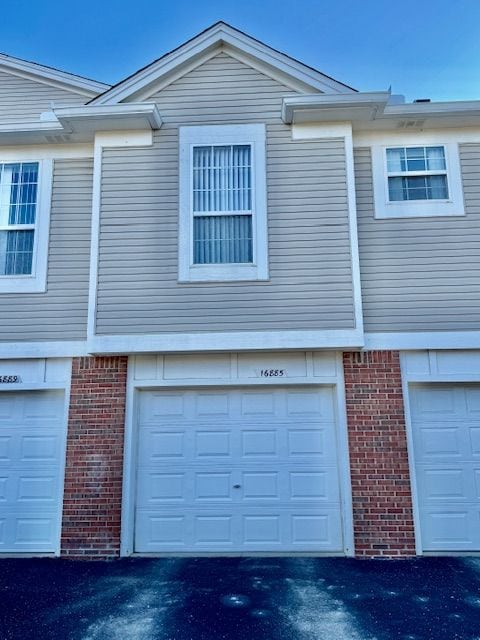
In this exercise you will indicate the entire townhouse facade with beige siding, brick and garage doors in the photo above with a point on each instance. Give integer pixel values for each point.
(240, 311)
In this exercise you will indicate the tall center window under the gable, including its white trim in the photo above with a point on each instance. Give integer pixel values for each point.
(223, 232)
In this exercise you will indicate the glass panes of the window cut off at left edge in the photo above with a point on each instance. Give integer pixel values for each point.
(18, 208)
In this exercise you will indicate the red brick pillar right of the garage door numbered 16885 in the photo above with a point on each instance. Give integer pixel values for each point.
(382, 503)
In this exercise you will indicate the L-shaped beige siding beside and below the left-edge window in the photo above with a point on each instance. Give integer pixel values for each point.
(61, 312)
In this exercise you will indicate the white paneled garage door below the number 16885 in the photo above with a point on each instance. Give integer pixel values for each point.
(238, 470)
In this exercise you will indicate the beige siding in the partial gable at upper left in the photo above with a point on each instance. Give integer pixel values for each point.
(23, 100)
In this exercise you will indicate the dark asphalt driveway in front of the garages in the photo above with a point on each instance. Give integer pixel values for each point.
(240, 599)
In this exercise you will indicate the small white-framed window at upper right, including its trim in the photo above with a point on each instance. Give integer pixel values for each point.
(415, 181)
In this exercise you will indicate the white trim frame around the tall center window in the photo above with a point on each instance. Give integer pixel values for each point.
(253, 135)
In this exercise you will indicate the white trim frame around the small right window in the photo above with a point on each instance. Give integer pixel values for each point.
(453, 206)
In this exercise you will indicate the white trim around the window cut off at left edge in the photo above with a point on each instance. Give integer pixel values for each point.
(36, 282)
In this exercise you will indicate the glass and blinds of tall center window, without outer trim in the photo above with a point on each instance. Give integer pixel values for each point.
(222, 204)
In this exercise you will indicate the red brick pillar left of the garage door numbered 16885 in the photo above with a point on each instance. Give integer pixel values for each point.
(93, 475)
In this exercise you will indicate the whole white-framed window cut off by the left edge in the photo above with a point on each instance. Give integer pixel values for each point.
(24, 206)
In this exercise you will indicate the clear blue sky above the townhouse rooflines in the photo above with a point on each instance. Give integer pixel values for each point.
(422, 48)
